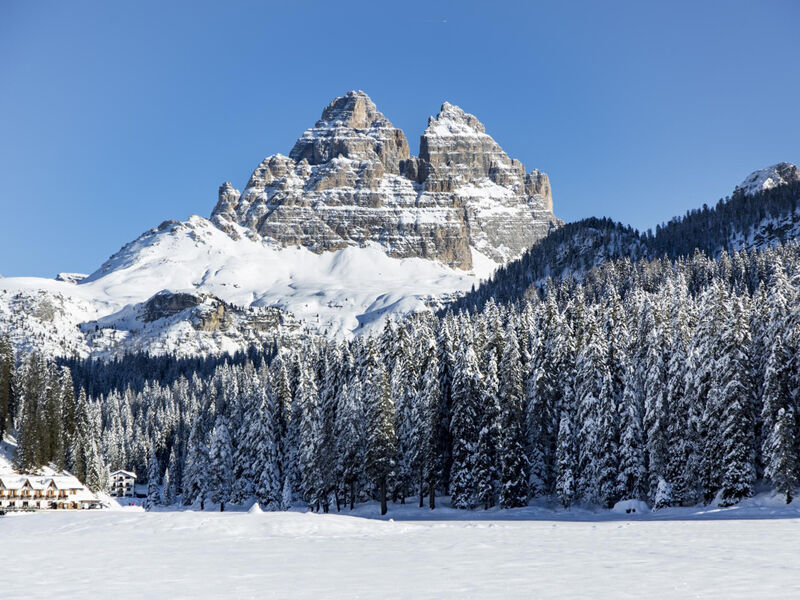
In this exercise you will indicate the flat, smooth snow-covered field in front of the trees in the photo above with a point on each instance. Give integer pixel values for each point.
(747, 551)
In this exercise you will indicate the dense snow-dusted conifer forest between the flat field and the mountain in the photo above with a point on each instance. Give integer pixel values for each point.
(674, 381)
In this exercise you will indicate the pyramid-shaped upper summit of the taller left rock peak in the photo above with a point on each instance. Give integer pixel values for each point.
(352, 127)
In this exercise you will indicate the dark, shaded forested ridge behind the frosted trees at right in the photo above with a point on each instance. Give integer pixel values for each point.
(576, 248)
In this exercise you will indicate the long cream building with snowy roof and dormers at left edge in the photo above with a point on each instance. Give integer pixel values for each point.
(37, 492)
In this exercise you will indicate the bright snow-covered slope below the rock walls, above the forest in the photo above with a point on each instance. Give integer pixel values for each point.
(229, 292)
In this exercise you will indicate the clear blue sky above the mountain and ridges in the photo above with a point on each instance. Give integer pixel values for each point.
(115, 116)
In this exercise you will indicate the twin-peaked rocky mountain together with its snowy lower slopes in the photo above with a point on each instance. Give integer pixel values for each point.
(347, 229)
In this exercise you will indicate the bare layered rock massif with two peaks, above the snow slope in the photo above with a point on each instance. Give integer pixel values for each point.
(350, 181)
